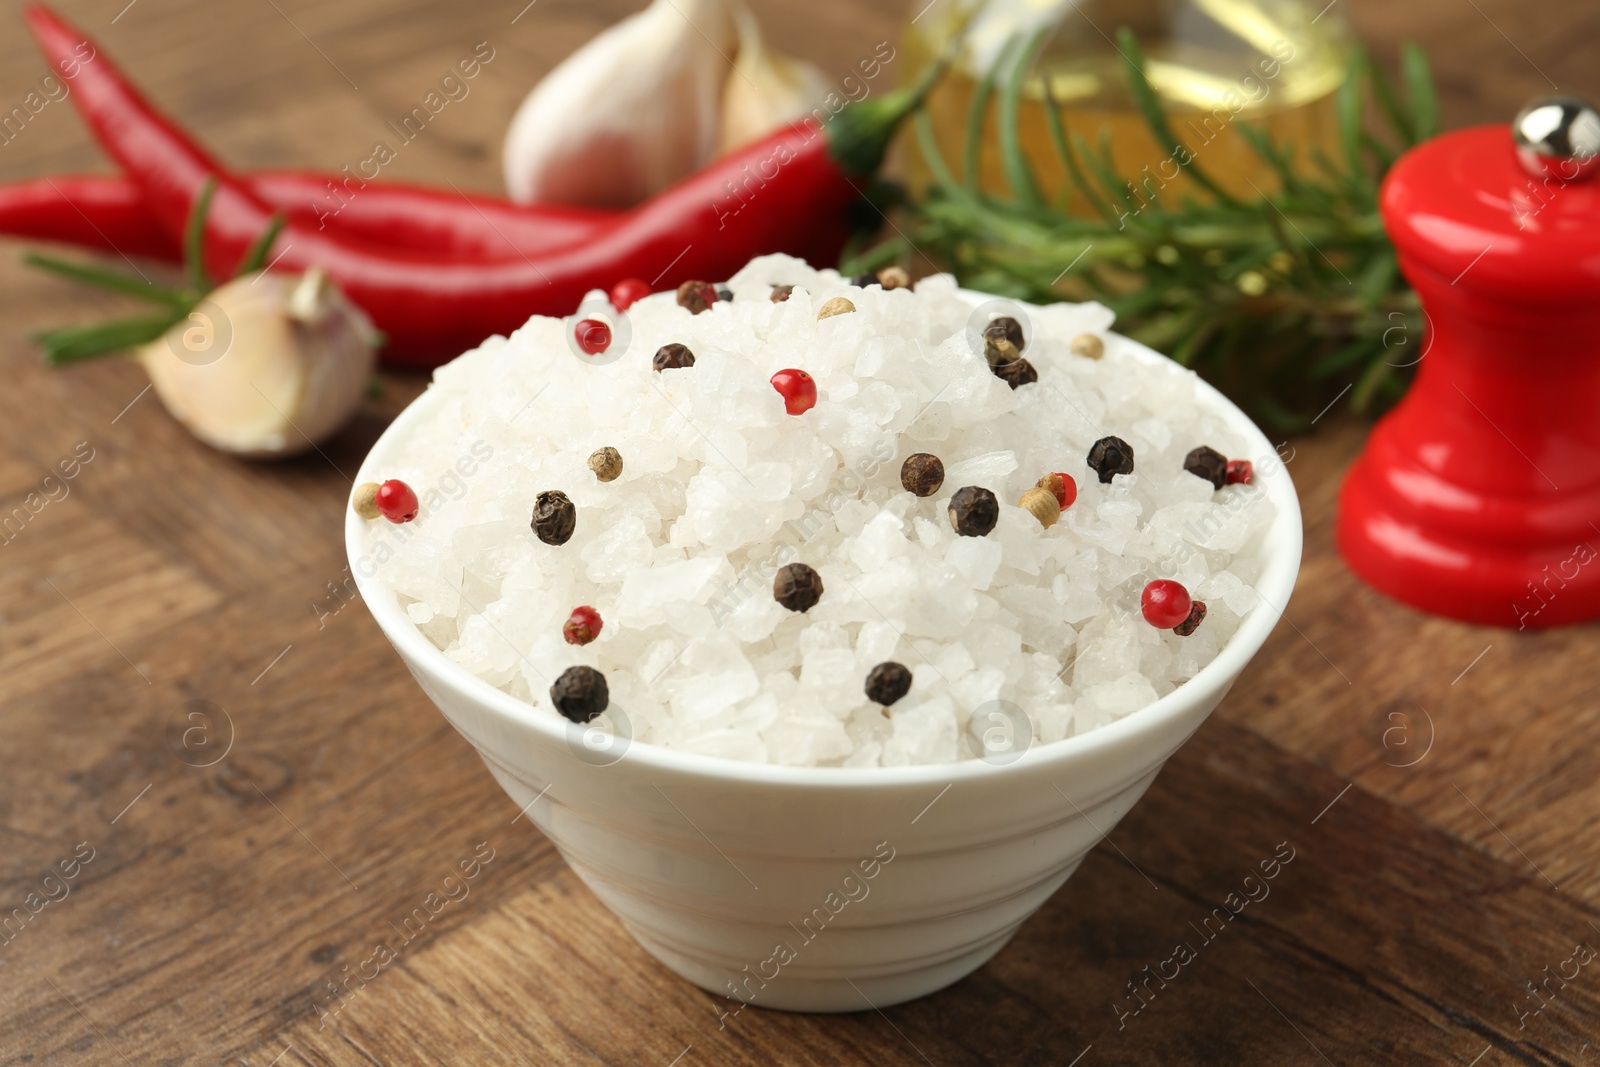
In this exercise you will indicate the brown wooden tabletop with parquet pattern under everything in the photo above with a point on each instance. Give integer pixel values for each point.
(1436, 781)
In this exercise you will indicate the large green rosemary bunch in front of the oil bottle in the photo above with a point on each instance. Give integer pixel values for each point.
(1282, 300)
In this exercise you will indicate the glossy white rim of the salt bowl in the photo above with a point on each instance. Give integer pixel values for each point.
(1282, 546)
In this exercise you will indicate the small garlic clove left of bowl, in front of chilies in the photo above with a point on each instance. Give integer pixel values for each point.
(266, 366)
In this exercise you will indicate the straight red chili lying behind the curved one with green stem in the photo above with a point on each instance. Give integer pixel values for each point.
(110, 214)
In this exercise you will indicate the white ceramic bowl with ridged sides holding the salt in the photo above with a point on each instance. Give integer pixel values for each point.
(826, 889)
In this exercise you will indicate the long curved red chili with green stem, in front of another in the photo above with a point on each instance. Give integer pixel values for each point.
(786, 193)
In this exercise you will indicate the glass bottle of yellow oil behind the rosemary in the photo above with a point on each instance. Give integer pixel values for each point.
(1214, 63)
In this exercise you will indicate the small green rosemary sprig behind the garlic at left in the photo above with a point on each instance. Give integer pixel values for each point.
(71, 345)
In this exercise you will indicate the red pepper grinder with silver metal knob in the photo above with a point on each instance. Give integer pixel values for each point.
(1479, 495)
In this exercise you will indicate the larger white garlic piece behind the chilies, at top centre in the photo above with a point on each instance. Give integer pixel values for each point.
(628, 114)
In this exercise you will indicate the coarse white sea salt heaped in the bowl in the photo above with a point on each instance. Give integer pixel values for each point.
(721, 489)
